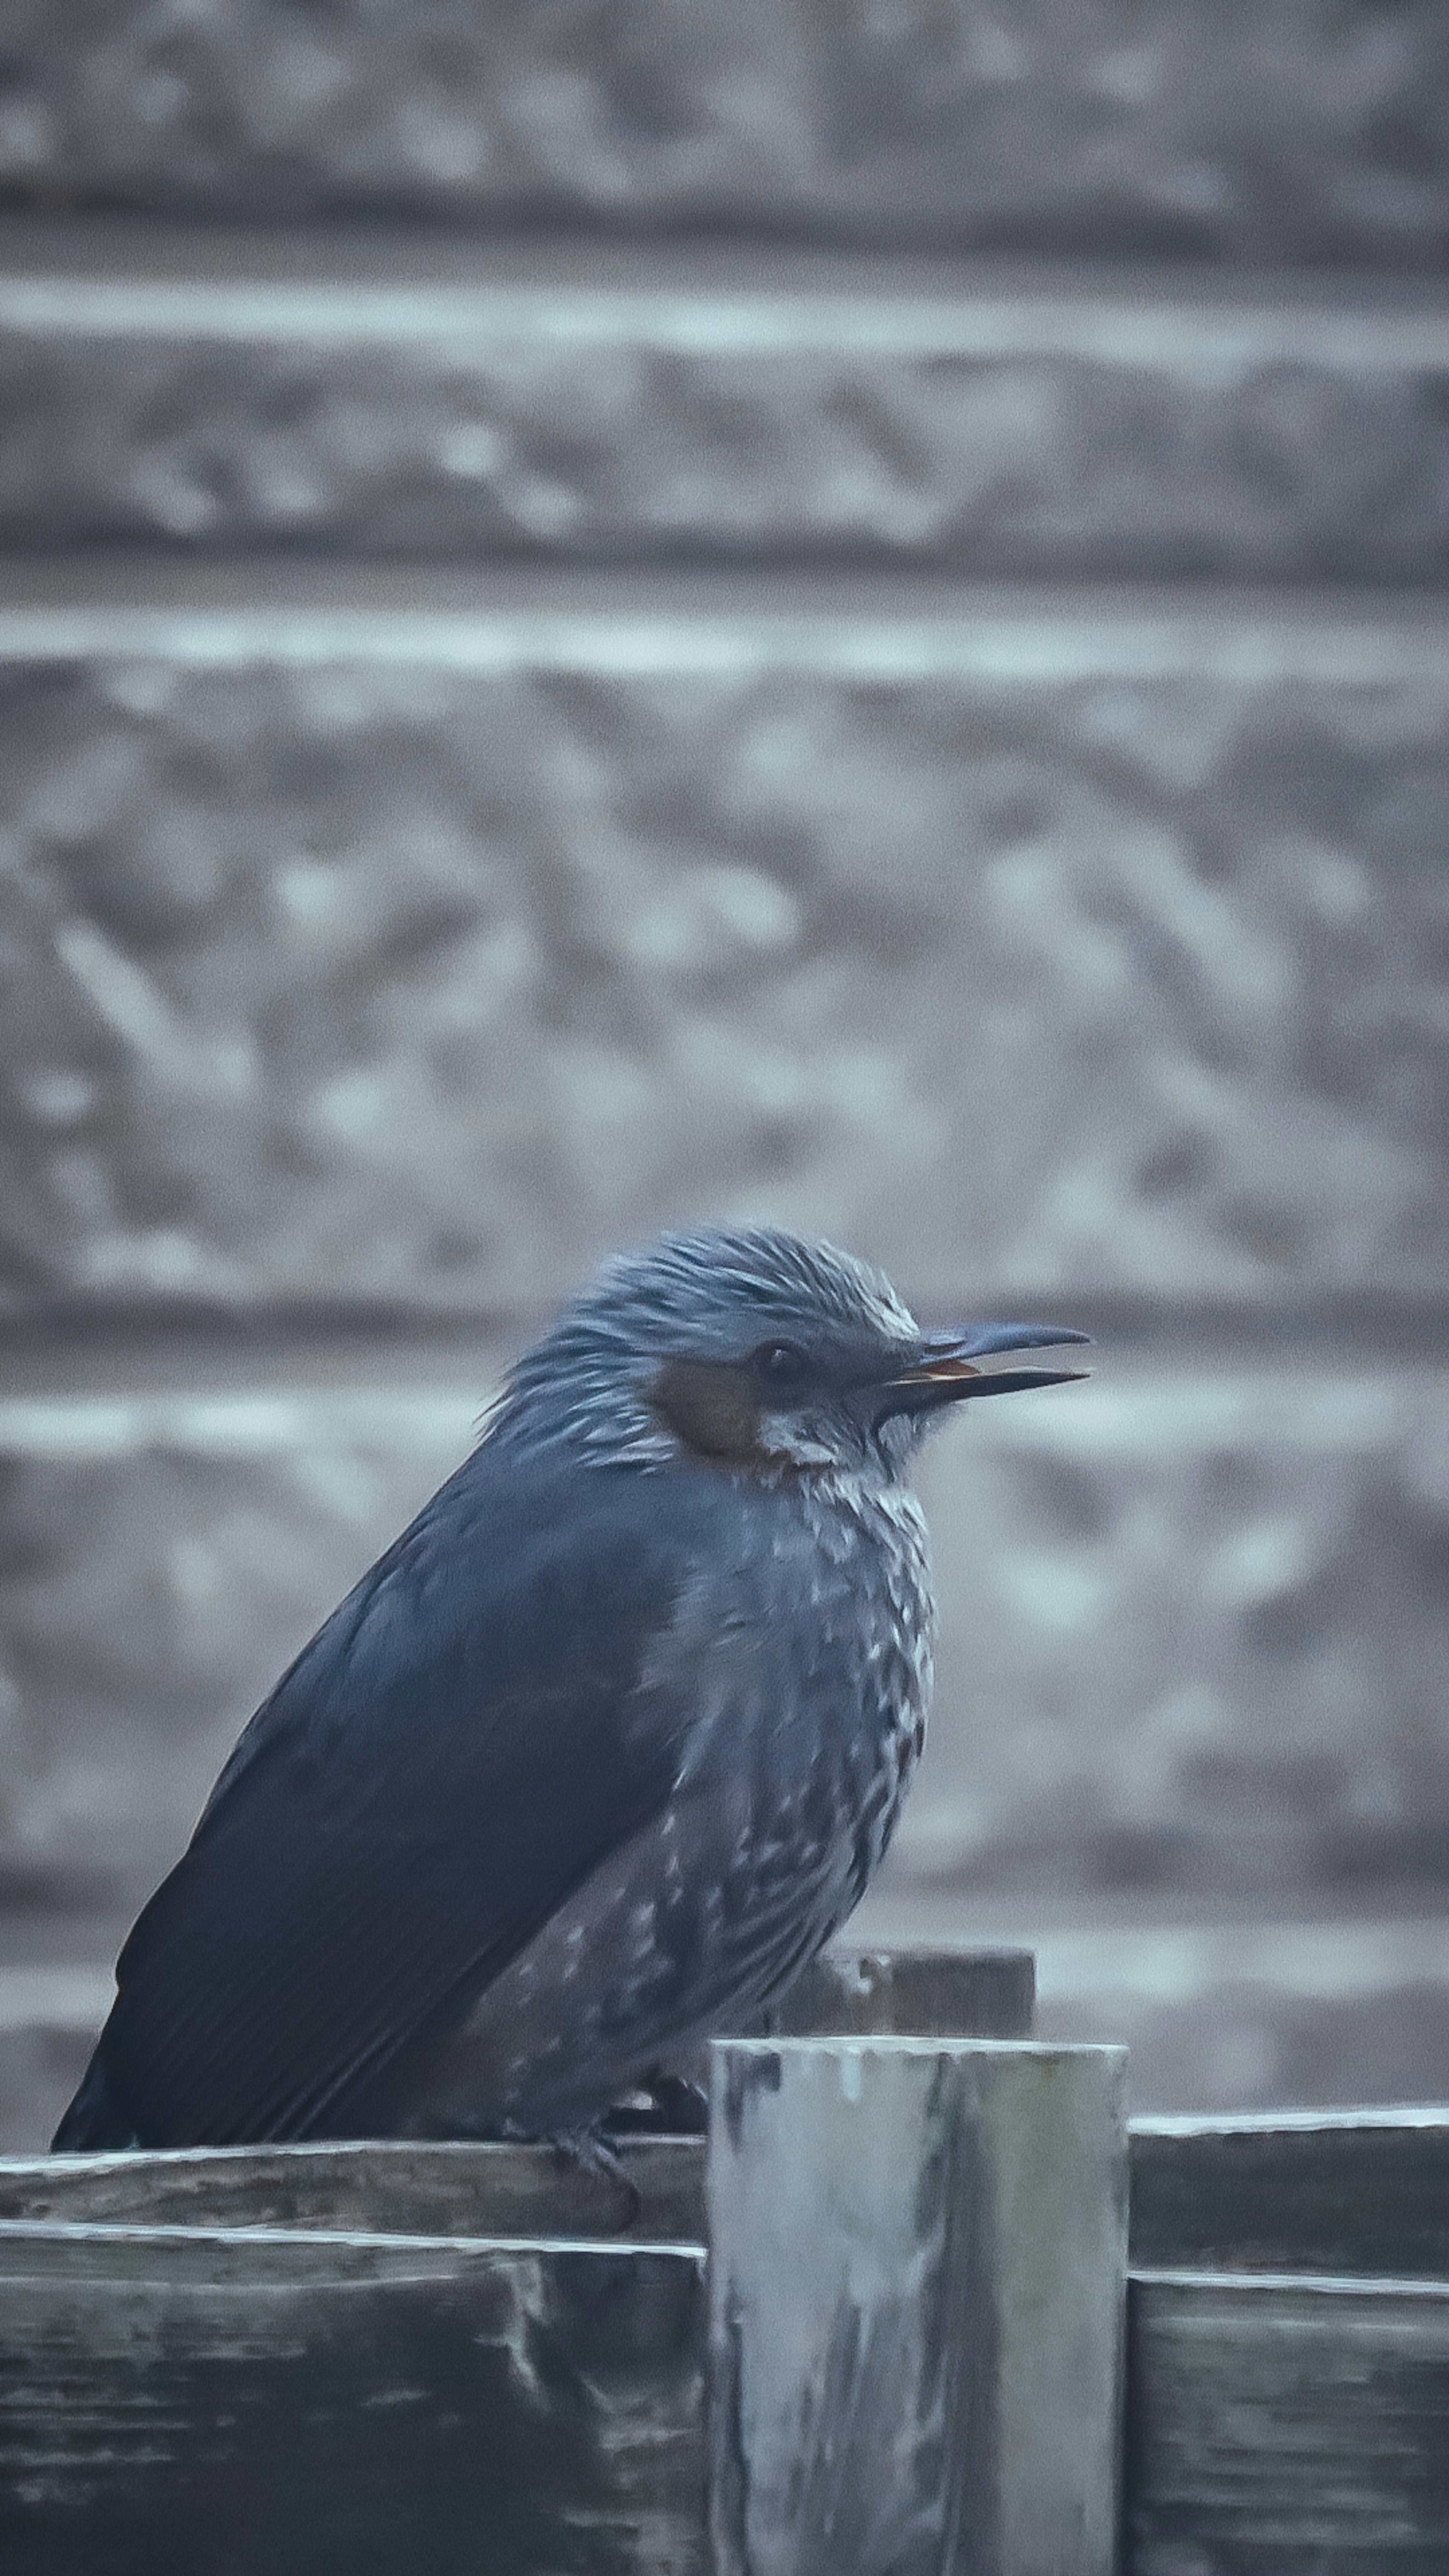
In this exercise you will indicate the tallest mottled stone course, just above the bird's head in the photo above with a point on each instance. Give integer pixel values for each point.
(429, 988)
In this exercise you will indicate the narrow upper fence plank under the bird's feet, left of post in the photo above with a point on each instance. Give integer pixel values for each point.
(373, 2188)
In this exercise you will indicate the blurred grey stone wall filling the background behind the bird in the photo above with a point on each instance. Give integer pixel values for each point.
(816, 614)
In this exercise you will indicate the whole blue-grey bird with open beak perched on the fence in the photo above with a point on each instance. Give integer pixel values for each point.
(602, 1750)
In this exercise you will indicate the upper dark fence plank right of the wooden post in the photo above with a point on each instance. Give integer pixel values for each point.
(1360, 2191)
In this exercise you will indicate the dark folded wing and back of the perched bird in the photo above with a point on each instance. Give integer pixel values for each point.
(442, 1766)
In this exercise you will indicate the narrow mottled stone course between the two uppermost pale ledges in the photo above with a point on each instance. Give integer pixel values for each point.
(522, 444)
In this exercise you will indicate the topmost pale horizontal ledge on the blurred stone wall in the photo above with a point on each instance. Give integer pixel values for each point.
(344, 287)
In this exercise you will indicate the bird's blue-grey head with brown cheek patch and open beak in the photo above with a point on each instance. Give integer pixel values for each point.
(759, 1356)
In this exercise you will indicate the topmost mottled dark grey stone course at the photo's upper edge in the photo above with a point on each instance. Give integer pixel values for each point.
(1285, 130)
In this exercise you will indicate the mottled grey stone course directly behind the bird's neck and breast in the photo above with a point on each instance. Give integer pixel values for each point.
(1192, 1627)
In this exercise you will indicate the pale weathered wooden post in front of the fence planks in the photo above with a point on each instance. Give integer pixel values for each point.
(917, 2260)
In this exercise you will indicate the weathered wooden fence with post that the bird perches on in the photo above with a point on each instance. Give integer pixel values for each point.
(919, 2307)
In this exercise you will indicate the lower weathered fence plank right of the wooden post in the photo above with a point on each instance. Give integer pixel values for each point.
(1288, 2428)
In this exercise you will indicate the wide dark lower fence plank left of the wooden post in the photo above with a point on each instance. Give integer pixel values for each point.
(282, 2405)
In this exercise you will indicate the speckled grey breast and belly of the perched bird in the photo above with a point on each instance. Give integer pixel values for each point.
(798, 1671)
